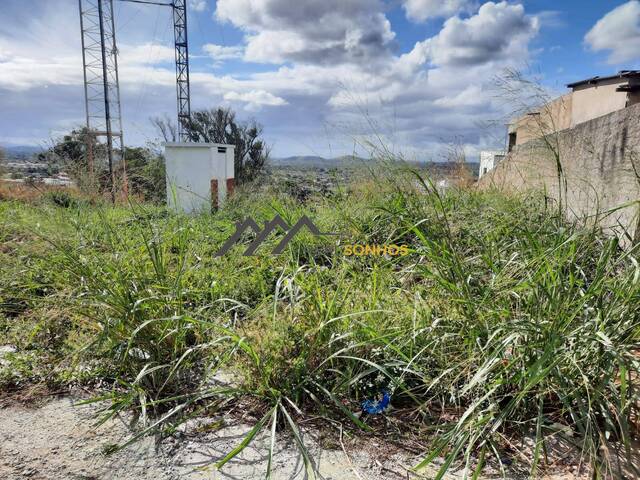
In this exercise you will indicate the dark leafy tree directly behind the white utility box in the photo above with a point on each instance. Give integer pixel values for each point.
(219, 125)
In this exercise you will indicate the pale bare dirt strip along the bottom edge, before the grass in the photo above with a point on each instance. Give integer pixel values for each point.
(58, 441)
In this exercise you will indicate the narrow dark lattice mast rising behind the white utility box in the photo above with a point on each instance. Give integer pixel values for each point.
(182, 65)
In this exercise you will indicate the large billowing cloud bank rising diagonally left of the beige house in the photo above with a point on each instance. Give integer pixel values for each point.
(439, 89)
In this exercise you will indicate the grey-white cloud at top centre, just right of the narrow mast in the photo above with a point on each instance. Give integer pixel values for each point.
(314, 31)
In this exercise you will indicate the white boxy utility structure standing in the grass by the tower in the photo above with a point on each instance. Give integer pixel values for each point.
(200, 176)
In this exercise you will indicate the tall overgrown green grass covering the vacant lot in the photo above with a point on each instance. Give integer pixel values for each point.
(504, 320)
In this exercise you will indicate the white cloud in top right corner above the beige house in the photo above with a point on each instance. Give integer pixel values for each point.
(618, 32)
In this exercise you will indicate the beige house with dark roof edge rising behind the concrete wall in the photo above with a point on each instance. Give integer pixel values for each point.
(589, 99)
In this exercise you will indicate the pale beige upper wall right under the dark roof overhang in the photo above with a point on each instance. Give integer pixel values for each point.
(593, 101)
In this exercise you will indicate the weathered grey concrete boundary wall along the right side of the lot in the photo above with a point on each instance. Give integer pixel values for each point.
(599, 158)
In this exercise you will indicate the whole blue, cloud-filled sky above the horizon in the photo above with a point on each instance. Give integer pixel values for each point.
(323, 77)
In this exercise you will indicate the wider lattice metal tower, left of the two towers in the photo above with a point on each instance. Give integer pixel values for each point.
(101, 83)
